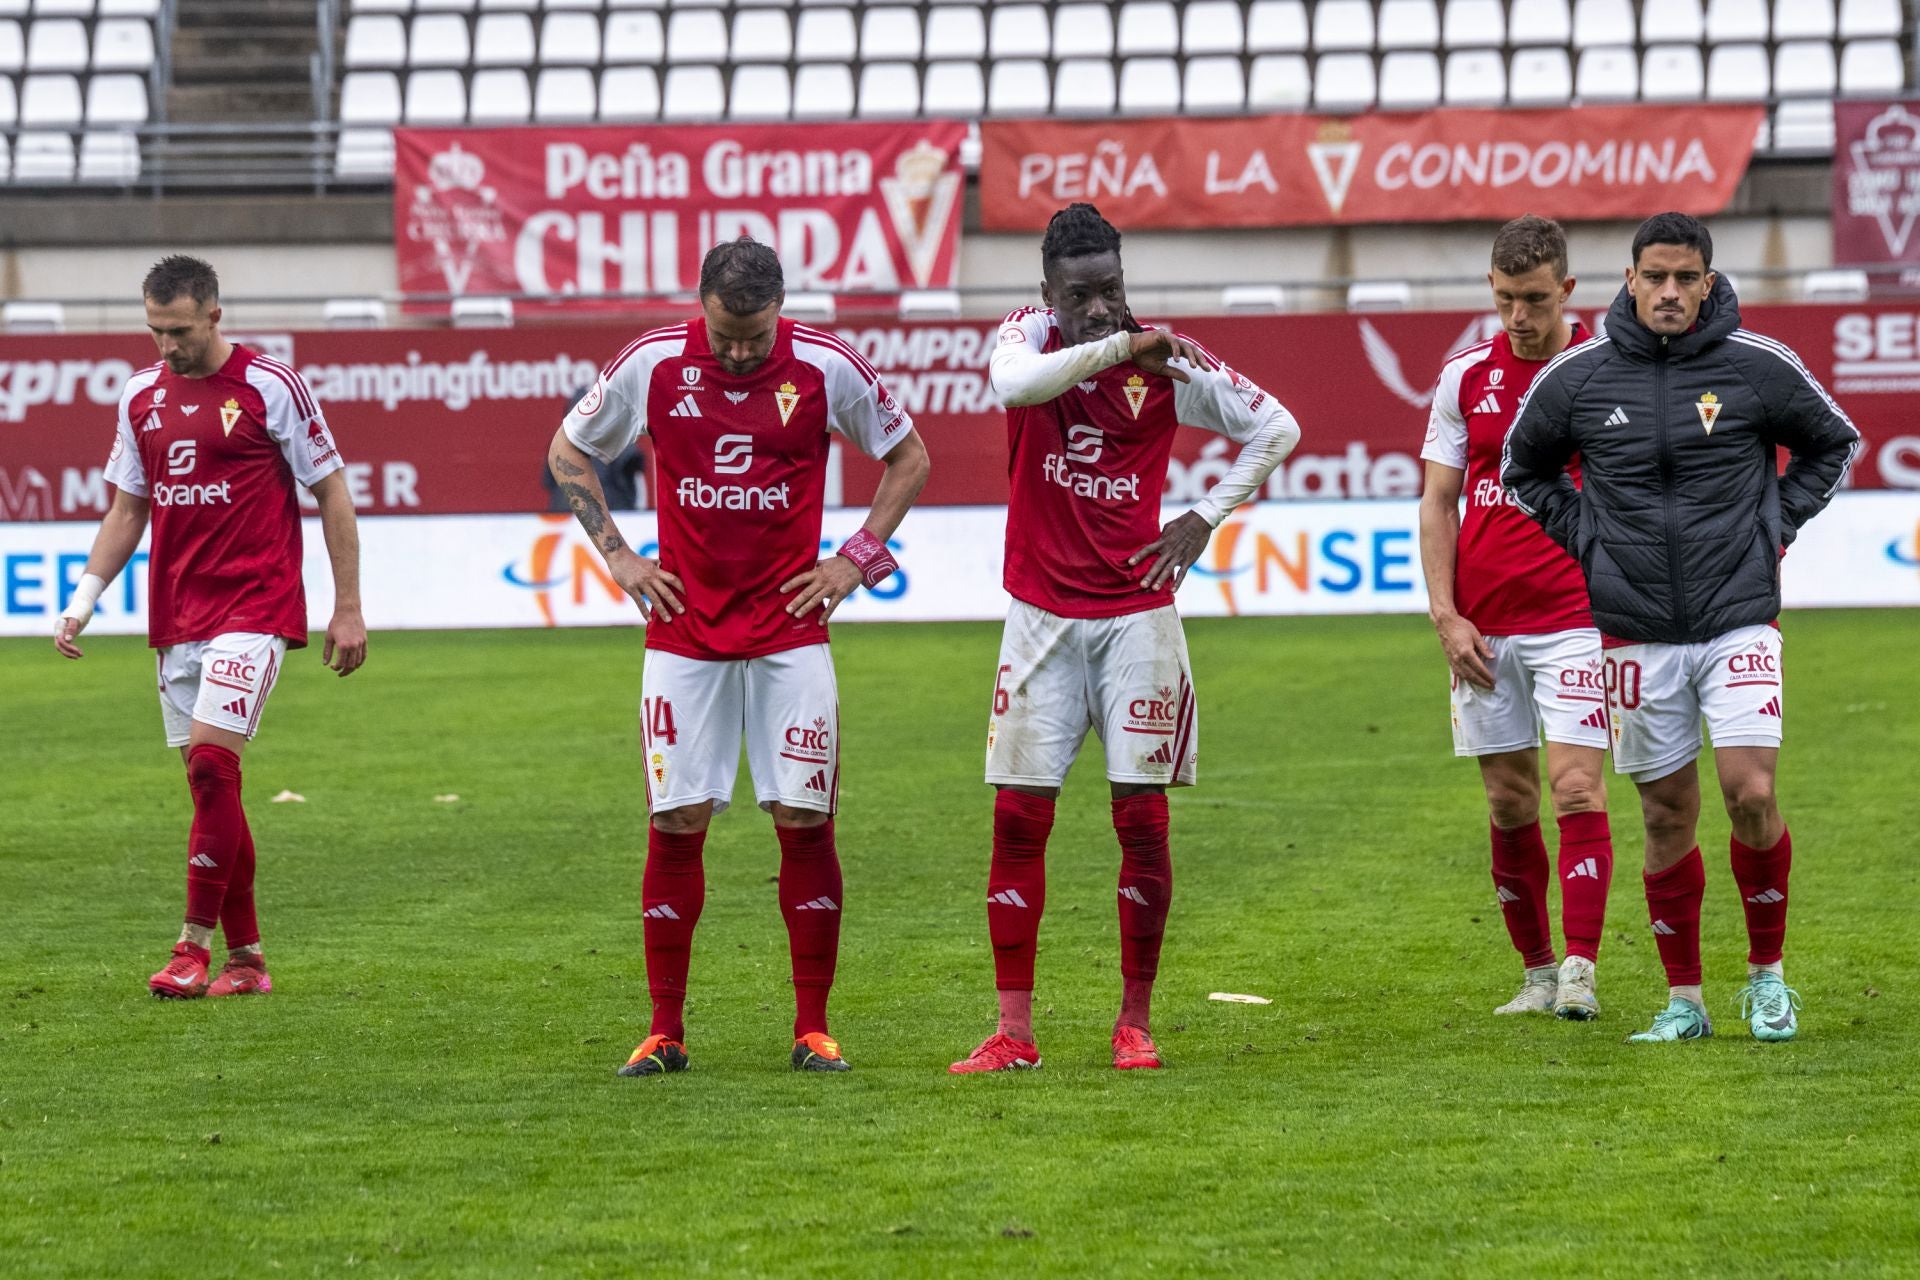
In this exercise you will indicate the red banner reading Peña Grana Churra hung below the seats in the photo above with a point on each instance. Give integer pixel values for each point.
(604, 212)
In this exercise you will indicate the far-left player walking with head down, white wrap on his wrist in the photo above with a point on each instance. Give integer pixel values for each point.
(210, 446)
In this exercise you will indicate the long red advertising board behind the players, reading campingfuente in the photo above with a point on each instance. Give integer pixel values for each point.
(458, 421)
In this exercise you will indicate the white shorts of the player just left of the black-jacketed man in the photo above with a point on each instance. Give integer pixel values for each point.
(1543, 686)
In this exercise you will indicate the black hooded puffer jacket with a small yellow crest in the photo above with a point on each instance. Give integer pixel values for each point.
(1683, 511)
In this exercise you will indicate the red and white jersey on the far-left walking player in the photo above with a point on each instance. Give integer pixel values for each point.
(218, 460)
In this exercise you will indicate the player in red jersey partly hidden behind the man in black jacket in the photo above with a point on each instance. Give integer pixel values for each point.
(1512, 613)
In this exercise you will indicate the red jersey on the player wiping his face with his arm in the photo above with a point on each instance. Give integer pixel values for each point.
(1086, 473)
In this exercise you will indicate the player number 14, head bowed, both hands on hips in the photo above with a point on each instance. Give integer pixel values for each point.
(740, 406)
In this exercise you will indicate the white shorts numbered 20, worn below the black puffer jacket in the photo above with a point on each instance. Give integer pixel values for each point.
(1660, 694)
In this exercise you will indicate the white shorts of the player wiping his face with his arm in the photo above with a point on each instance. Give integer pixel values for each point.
(1124, 678)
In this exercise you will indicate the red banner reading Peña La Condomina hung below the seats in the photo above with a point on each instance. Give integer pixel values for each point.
(1397, 168)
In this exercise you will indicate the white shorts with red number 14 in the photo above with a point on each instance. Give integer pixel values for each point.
(694, 713)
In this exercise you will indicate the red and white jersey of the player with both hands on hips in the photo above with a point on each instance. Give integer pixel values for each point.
(740, 471)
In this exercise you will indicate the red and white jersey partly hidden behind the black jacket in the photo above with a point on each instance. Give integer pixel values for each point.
(1510, 579)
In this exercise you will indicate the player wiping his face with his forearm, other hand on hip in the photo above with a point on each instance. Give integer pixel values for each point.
(1093, 640)
